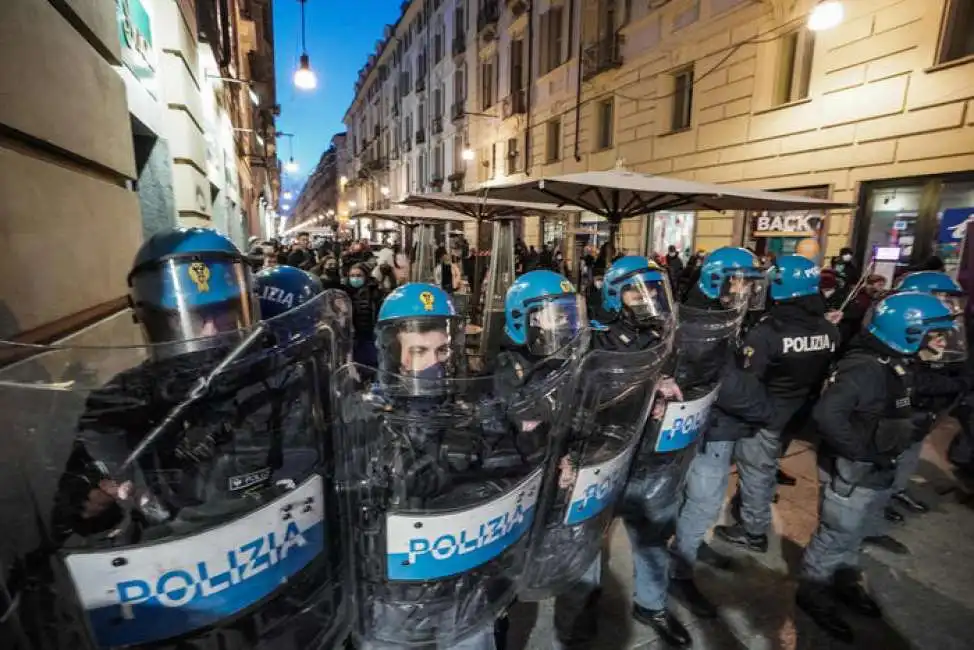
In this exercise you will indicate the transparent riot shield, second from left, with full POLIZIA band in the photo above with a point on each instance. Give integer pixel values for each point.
(444, 489)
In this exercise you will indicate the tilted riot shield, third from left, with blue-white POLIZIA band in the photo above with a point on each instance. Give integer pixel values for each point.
(611, 406)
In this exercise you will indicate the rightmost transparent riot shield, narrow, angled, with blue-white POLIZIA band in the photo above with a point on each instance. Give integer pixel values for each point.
(704, 339)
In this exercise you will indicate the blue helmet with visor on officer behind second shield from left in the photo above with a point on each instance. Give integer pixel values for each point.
(419, 340)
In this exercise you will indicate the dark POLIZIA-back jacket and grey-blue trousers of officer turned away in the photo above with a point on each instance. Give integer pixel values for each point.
(790, 351)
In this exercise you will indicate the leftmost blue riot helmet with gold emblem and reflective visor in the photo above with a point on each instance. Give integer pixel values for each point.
(189, 284)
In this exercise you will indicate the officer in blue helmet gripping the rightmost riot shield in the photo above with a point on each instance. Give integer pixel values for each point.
(713, 314)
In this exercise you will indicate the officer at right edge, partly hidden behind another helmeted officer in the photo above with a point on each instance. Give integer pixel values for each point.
(941, 378)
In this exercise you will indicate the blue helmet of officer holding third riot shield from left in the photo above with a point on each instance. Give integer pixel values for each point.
(636, 289)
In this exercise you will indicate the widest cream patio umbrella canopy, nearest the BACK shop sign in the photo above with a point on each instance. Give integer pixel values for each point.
(618, 195)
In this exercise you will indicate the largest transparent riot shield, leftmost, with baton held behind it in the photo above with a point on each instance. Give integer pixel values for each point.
(177, 501)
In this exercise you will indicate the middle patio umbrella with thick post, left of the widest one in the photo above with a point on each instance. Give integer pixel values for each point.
(501, 272)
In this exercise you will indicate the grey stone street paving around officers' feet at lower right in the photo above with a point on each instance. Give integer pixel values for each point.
(927, 597)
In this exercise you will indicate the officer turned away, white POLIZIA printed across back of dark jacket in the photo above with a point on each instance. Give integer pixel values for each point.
(789, 350)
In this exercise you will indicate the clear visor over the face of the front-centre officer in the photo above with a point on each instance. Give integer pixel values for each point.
(420, 356)
